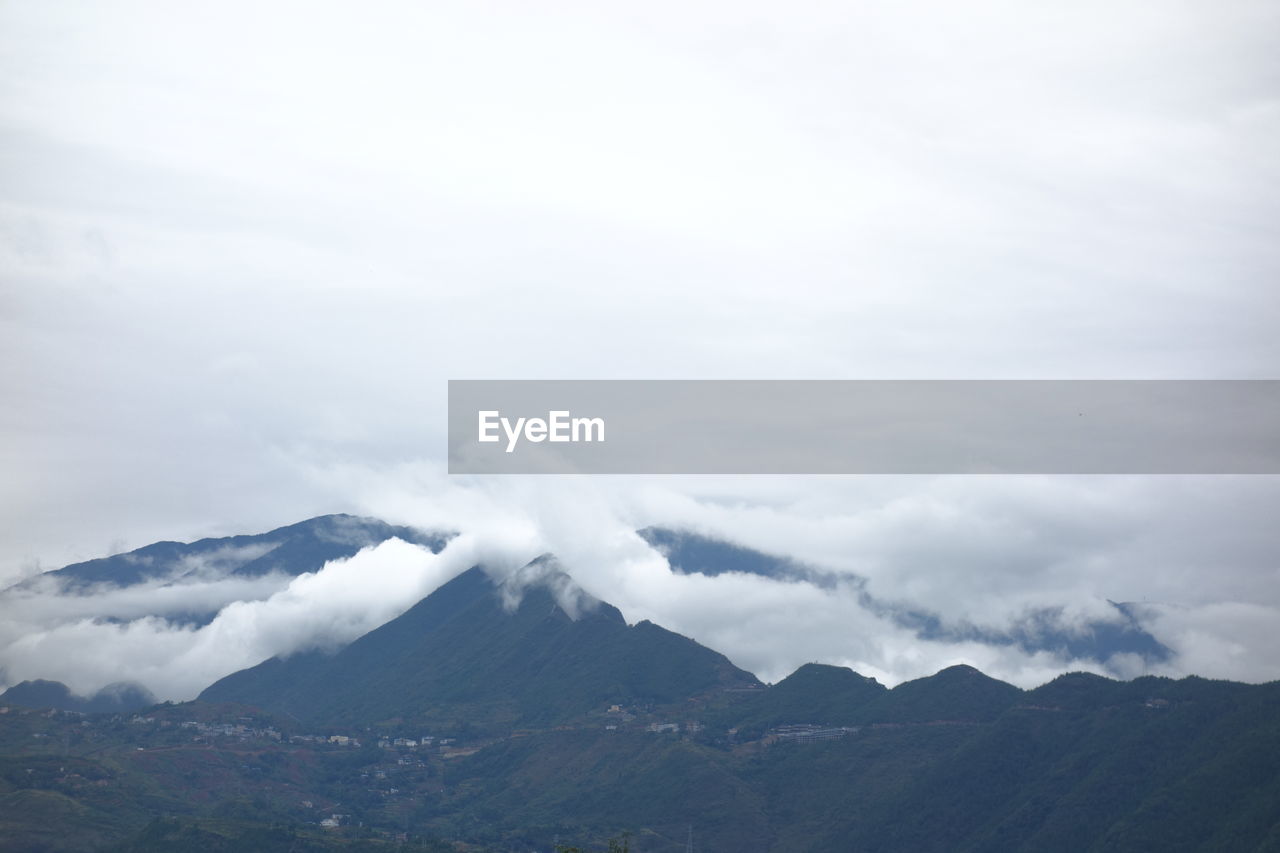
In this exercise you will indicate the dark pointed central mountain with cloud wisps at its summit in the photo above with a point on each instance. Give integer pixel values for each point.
(534, 651)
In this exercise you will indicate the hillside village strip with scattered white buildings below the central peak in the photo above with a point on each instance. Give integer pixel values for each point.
(381, 769)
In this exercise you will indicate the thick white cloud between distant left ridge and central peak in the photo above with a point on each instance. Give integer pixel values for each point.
(65, 638)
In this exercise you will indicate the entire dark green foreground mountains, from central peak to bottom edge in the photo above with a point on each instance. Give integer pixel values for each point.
(531, 729)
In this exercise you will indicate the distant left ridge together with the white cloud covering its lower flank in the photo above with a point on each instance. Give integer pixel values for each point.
(173, 618)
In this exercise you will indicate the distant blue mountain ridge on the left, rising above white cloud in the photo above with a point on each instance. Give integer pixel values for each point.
(290, 550)
